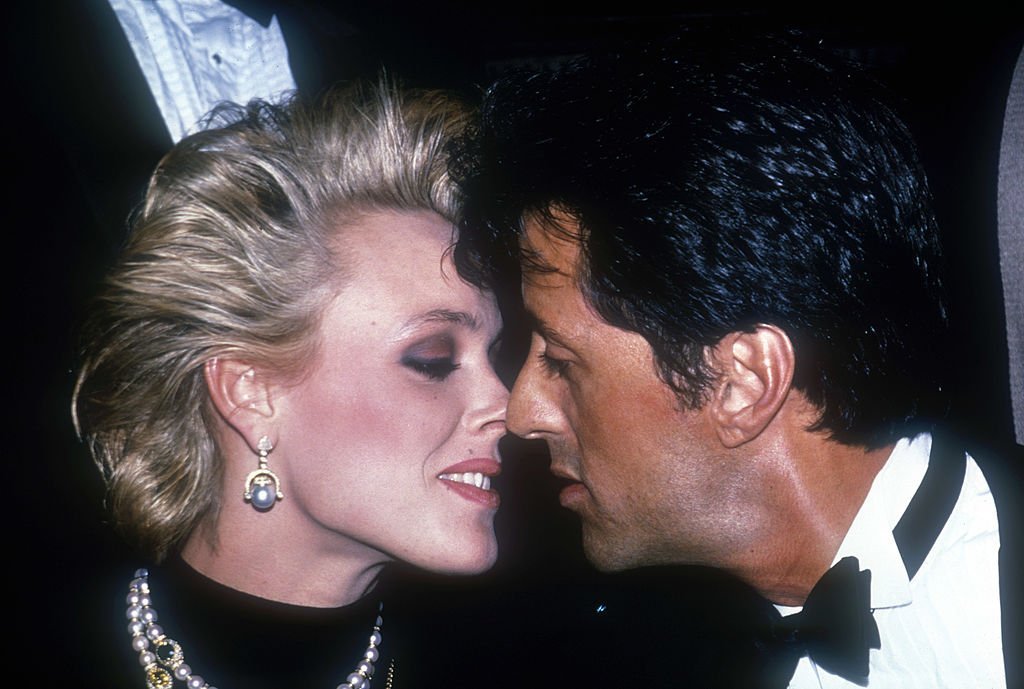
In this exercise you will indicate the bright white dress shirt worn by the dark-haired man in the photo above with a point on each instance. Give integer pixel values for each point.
(943, 629)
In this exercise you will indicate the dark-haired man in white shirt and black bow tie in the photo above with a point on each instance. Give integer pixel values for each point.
(732, 269)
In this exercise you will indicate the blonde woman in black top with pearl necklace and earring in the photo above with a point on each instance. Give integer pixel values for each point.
(287, 386)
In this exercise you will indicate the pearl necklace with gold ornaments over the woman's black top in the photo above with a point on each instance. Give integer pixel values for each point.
(164, 662)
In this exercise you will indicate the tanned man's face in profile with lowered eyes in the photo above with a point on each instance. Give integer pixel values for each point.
(642, 476)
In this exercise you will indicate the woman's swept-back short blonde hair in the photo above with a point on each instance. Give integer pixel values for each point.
(234, 253)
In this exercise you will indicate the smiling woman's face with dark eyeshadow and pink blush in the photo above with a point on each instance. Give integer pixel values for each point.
(388, 446)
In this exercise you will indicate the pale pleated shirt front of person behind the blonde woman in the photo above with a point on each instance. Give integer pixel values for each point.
(196, 54)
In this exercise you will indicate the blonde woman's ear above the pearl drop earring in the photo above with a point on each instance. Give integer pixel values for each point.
(242, 395)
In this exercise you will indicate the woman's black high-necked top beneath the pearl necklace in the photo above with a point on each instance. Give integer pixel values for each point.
(232, 639)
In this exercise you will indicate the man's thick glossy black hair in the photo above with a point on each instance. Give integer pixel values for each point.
(720, 183)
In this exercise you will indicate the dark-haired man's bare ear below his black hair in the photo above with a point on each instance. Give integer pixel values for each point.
(755, 375)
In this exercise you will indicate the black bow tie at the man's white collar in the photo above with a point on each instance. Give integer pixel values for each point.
(836, 628)
